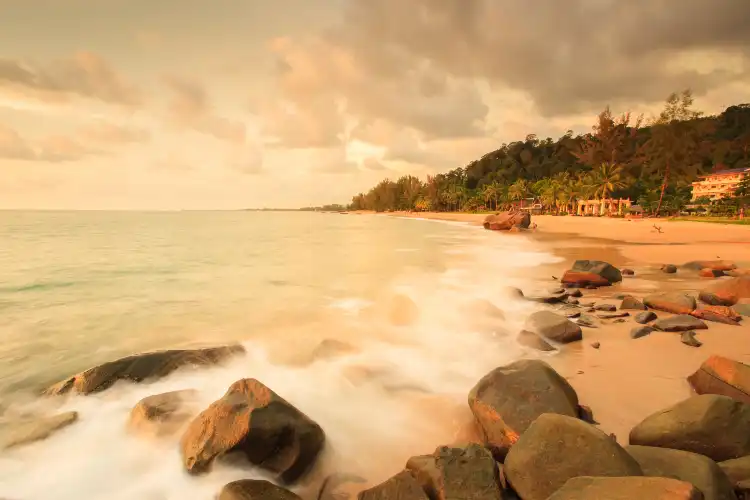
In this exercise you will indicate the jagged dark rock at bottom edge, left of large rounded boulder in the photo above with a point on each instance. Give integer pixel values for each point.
(451, 473)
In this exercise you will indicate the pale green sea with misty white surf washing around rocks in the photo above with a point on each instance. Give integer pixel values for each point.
(421, 303)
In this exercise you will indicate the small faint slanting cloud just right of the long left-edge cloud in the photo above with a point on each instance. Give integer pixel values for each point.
(192, 108)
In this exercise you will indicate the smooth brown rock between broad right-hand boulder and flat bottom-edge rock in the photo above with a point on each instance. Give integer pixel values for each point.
(693, 468)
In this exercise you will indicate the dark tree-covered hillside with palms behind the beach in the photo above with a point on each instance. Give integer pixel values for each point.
(651, 162)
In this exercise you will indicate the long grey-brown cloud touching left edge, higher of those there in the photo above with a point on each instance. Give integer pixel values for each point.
(85, 74)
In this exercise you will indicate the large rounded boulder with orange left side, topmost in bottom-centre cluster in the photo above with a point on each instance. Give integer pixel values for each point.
(508, 399)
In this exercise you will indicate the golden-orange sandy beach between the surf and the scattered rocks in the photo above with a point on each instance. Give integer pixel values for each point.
(626, 380)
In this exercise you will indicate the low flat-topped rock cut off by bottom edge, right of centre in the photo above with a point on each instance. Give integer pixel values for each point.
(626, 488)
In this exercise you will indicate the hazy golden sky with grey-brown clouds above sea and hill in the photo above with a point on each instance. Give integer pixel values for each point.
(223, 104)
